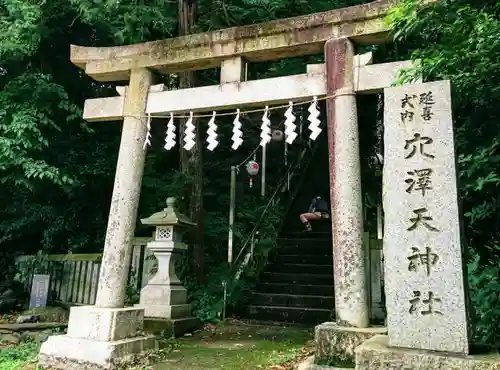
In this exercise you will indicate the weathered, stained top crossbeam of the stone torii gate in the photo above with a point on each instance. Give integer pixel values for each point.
(284, 38)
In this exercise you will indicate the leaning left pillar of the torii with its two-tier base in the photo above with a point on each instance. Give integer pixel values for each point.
(106, 335)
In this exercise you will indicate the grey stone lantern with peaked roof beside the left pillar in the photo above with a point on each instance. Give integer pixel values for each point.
(164, 298)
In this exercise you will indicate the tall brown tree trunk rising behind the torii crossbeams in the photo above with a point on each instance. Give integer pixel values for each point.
(191, 162)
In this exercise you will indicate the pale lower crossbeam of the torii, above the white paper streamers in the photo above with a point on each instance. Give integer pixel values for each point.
(278, 90)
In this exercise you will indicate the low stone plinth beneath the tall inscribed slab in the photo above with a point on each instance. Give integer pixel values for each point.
(375, 354)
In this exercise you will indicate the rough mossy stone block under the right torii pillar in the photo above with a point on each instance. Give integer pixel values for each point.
(335, 344)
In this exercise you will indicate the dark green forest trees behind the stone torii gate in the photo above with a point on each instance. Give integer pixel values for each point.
(56, 171)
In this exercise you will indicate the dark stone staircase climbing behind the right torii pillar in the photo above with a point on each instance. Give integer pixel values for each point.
(297, 285)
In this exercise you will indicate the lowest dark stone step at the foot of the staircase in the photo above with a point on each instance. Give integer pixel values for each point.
(311, 316)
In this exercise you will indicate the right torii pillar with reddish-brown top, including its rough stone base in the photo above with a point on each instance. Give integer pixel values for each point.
(351, 328)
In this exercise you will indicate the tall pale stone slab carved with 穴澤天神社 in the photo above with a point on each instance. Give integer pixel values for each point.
(424, 273)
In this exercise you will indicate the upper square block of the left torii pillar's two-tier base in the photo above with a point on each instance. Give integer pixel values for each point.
(105, 324)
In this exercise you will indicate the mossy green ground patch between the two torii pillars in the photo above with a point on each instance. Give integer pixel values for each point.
(239, 347)
